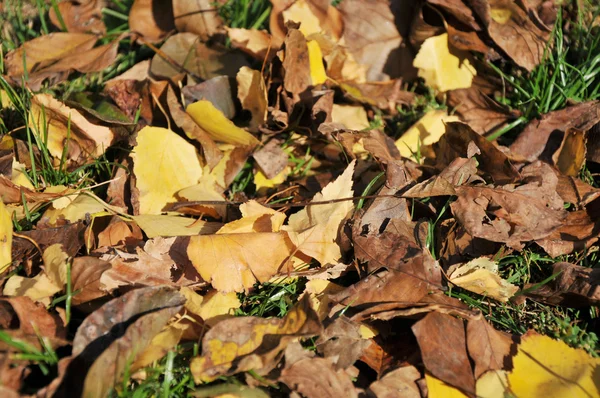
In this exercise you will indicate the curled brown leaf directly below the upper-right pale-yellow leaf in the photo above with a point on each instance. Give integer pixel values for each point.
(479, 111)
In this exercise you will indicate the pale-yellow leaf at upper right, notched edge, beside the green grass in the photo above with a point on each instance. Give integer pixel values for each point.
(443, 70)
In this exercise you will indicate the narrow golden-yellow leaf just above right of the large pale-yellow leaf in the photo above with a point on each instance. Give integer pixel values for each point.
(218, 126)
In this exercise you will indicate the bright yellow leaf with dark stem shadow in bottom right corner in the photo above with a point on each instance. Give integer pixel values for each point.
(548, 368)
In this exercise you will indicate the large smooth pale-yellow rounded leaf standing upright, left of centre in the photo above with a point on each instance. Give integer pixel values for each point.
(163, 163)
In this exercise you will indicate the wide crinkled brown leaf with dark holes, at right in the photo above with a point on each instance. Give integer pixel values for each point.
(503, 216)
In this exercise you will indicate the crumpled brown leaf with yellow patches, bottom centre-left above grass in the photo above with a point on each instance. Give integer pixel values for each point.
(240, 344)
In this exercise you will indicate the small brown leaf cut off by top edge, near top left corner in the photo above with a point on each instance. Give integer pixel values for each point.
(80, 16)
